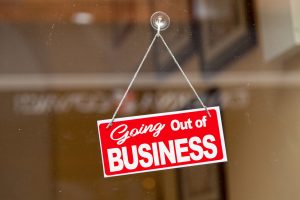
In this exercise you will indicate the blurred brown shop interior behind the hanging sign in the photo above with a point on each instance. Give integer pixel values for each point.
(64, 64)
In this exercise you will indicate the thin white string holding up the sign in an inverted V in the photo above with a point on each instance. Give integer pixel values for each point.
(157, 35)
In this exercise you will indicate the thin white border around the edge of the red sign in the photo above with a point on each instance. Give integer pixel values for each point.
(217, 108)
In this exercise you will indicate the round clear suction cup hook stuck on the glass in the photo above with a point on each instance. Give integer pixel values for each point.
(161, 19)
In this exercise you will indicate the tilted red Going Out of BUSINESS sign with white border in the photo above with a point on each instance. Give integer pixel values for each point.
(161, 141)
